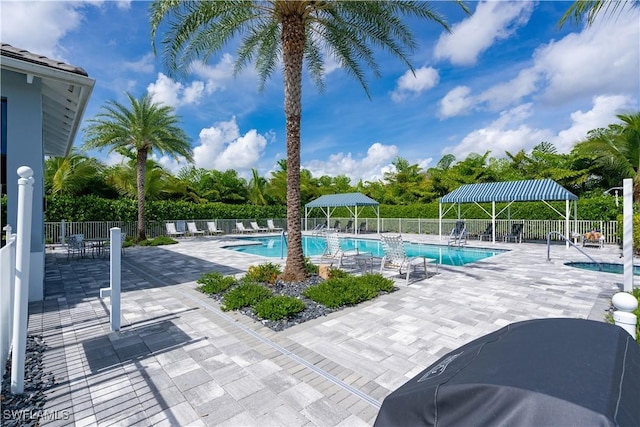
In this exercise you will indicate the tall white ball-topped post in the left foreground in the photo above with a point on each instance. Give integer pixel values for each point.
(21, 293)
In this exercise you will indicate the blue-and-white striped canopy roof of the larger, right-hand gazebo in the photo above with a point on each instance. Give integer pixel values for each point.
(510, 191)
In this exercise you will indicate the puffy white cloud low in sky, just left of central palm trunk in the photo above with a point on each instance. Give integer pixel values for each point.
(222, 147)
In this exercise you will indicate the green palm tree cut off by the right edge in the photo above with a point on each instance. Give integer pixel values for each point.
(617, 149)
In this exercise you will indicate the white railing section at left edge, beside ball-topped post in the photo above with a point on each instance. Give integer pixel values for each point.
(7, 281)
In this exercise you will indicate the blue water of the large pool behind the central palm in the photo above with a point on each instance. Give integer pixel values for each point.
(314, 246)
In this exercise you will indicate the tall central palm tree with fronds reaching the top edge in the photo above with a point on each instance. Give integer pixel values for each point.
(293, 31)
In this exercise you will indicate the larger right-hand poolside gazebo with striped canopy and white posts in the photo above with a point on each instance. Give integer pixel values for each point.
(543, 190)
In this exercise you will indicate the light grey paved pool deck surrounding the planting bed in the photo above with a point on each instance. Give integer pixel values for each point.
(179, 360)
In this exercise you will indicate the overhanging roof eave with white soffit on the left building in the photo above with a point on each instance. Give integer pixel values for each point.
(65, 92)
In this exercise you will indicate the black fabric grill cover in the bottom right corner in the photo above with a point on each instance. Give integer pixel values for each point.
(545, 372)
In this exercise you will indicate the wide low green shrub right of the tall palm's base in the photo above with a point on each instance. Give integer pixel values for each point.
(338, 292)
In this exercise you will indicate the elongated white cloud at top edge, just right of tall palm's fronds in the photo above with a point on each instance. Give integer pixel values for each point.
(491, 21)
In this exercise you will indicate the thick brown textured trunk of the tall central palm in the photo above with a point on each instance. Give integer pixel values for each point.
(293, 41)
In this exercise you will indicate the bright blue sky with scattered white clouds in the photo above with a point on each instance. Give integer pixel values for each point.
(506, 78)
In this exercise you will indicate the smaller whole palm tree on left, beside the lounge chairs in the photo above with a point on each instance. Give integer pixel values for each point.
(139, 130)
